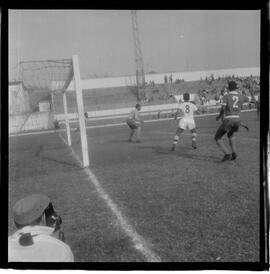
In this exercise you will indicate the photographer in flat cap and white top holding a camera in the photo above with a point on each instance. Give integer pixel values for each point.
(39, 237)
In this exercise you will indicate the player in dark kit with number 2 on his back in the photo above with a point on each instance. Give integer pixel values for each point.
(231, 107)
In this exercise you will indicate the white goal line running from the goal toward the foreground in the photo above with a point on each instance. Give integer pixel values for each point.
(138, 242)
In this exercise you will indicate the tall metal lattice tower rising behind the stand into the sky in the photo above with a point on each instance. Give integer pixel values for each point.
(140, 77)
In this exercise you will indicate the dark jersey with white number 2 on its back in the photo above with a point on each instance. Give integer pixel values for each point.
(233, 102)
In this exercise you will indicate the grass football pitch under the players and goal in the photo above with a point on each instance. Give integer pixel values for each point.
(139, 202)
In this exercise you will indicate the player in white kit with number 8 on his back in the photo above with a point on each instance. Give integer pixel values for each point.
(186, 122)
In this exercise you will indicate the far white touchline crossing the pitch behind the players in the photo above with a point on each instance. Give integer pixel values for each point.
(107, 125)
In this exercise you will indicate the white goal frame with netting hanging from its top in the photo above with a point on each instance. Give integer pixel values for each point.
(43, 75)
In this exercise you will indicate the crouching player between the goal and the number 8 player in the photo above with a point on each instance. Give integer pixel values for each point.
(135, 123)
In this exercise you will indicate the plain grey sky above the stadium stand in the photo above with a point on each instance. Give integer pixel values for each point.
(171, 40)
